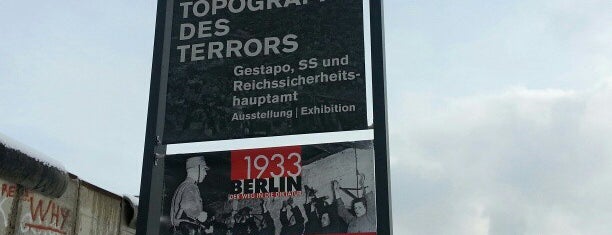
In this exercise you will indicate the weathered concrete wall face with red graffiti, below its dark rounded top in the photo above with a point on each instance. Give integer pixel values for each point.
(82, 209)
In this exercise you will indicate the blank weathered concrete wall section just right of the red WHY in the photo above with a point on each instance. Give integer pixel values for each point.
(99, 211)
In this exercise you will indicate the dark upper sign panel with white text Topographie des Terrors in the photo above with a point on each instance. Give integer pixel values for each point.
(242, 69)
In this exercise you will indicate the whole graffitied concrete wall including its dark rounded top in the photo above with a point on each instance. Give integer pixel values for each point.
(38, 197)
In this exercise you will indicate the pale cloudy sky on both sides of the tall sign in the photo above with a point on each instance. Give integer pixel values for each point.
(499, 110)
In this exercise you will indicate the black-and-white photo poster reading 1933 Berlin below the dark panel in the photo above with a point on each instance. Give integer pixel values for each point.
(310, 189)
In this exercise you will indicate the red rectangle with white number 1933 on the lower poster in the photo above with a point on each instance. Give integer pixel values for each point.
(267, 163)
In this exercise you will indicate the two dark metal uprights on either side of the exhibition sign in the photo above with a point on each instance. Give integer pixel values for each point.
(149, 209)
